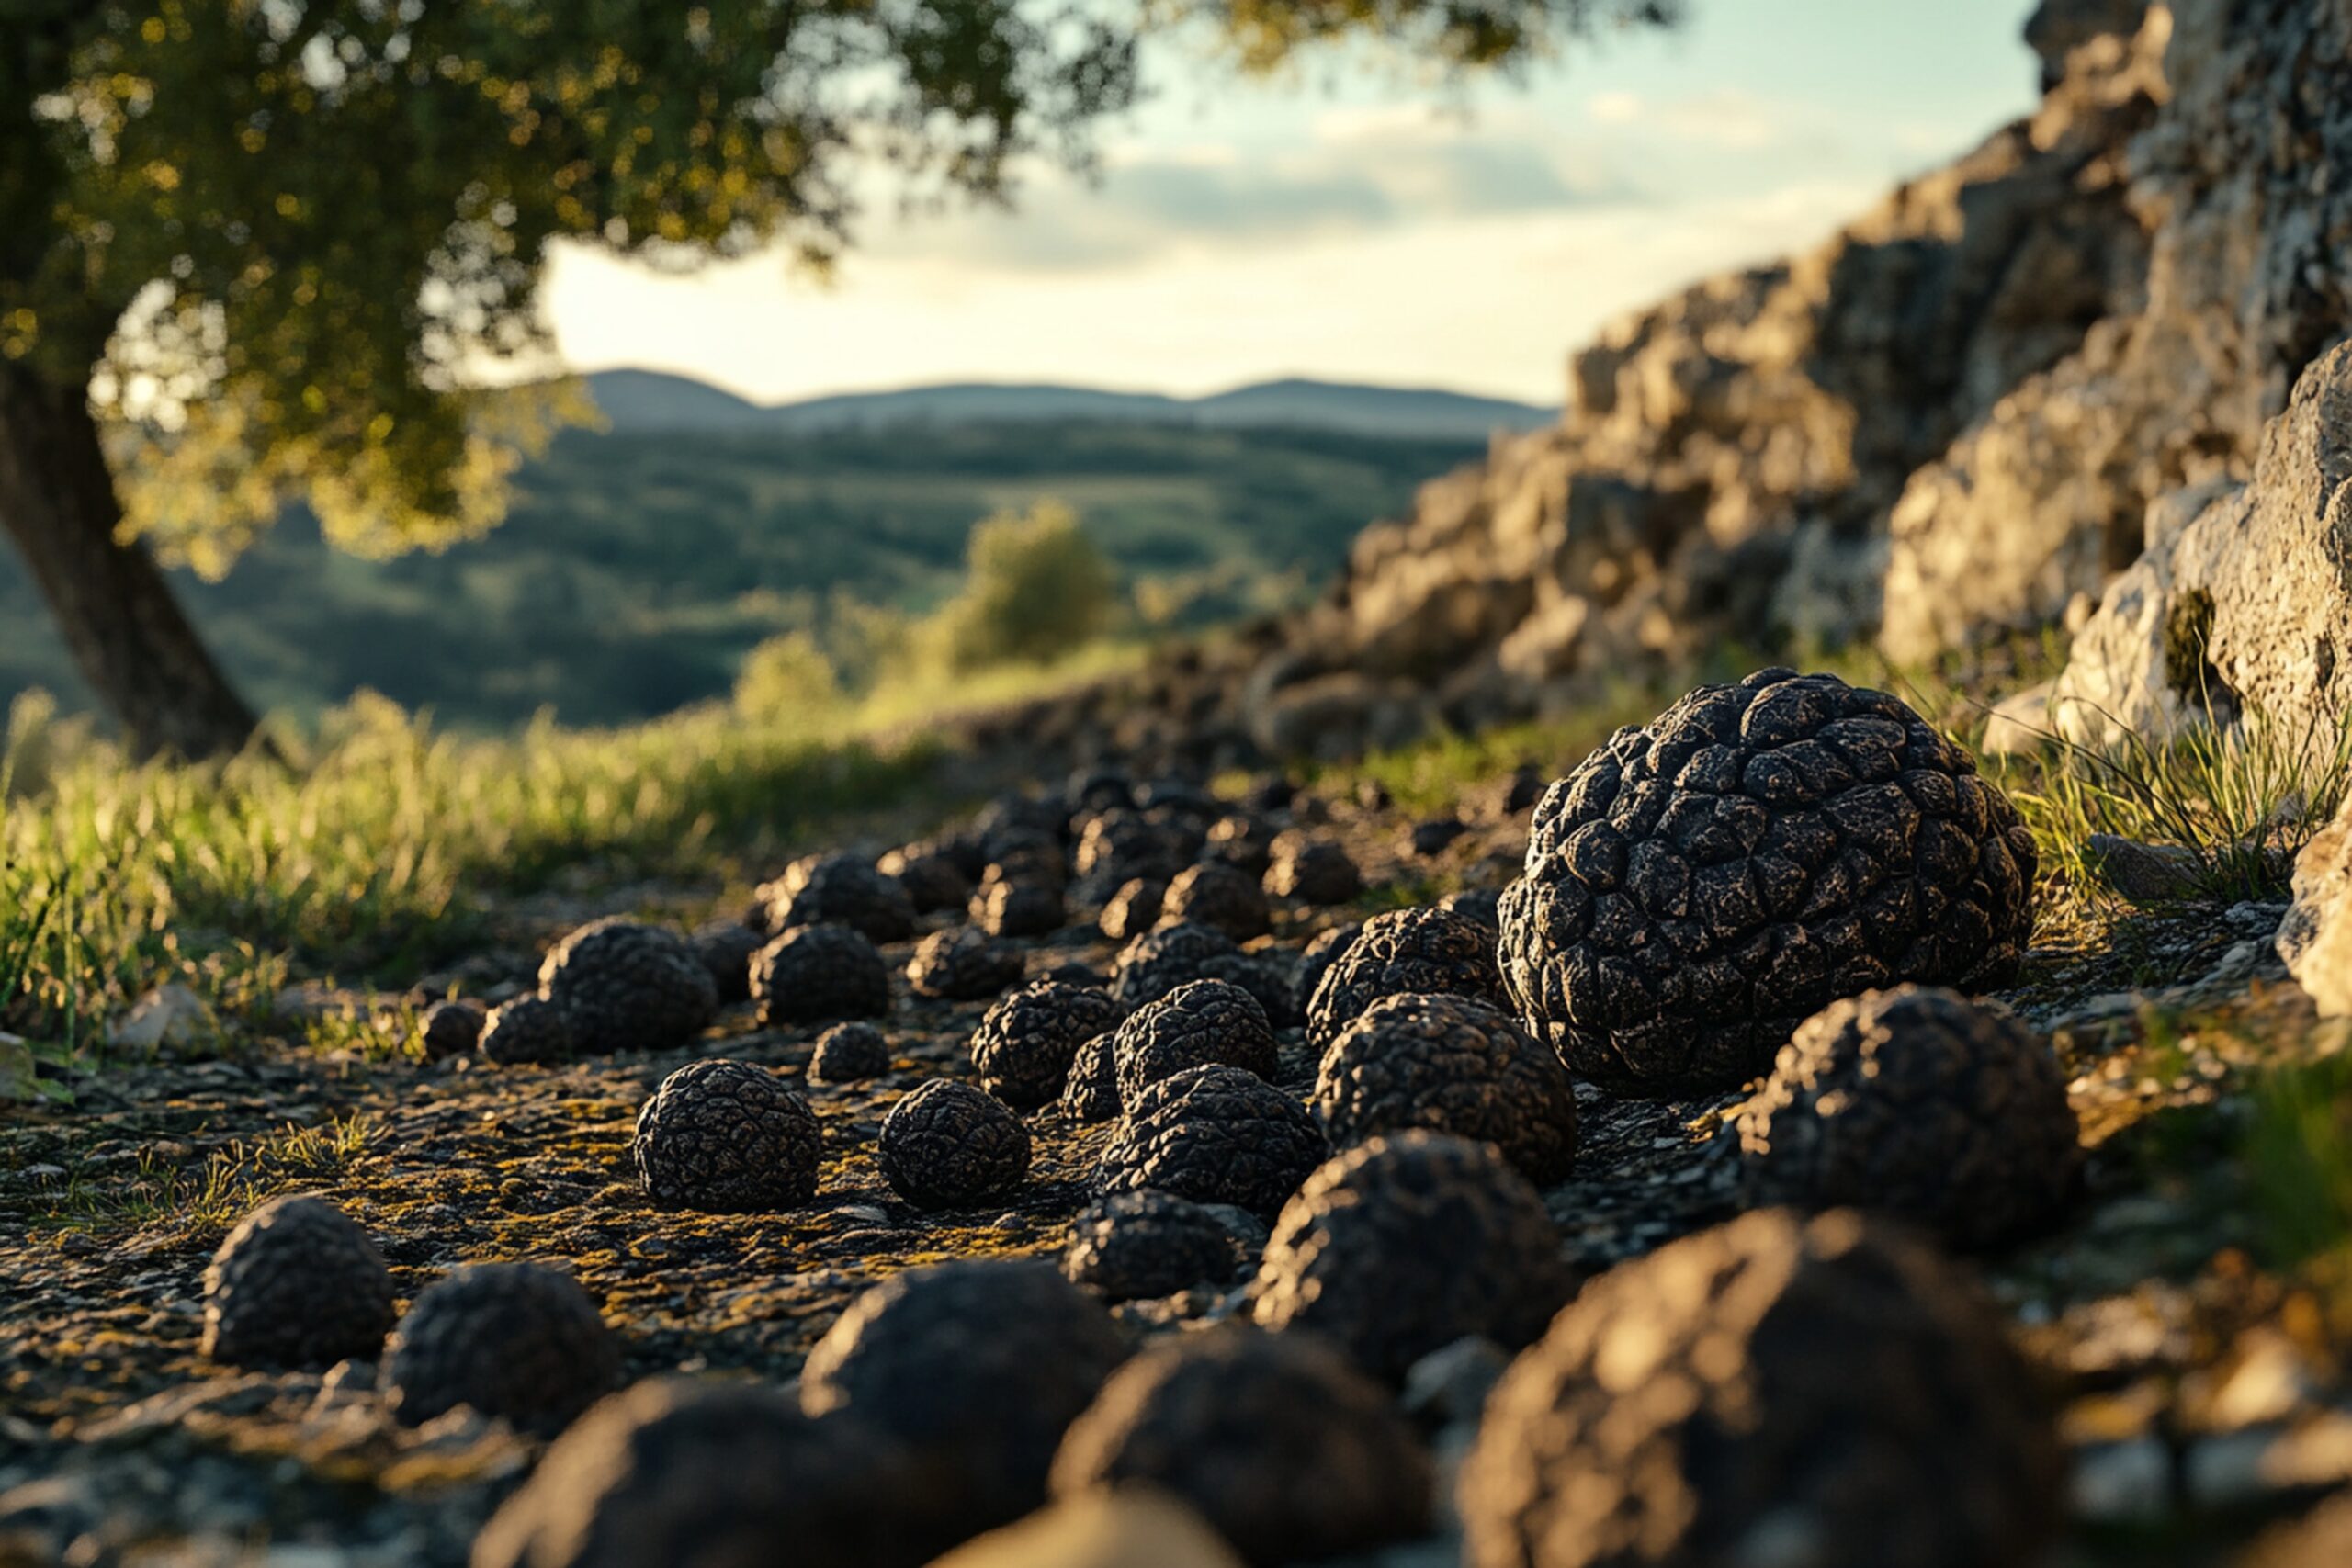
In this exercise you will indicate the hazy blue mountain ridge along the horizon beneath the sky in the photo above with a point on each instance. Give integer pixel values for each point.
(648, 403)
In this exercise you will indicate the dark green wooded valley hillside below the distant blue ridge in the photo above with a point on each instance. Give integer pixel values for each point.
(639, 570)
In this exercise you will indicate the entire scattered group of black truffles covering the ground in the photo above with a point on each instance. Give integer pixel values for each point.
(1775, 880)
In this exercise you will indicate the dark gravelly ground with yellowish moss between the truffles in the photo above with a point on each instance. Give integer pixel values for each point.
(2203, 1383)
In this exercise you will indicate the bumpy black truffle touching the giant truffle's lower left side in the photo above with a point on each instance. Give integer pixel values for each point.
(1452, 1066)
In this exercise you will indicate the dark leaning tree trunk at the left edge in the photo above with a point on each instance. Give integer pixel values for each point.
(112, 603)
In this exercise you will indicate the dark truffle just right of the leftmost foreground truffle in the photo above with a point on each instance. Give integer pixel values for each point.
(514, 1341)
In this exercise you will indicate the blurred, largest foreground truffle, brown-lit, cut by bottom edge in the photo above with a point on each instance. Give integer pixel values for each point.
(1770, 1391)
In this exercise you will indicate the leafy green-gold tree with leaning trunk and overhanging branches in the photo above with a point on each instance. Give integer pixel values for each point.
(260, 250)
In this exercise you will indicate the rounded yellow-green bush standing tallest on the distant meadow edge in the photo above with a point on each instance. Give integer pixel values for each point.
(1036, 591)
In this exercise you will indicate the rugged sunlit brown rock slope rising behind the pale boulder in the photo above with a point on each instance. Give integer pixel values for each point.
(1953, 420)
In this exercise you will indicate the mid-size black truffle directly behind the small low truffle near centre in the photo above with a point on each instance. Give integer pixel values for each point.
(1217, 1137)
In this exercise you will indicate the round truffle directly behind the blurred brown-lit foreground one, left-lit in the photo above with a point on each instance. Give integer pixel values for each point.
(1408, 1245)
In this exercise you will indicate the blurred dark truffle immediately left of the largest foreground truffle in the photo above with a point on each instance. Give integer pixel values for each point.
(1285, 1449)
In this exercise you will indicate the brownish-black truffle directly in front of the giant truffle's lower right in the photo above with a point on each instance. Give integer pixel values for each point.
(1918, 1104)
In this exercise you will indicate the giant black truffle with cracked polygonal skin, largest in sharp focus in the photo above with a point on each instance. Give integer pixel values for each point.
(1704, 883)
